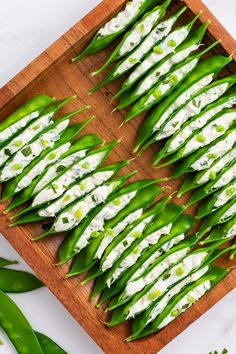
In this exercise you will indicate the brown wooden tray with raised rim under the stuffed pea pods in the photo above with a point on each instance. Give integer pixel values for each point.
(53, 74)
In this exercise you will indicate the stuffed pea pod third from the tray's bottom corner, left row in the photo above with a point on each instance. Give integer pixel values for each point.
(160, 283)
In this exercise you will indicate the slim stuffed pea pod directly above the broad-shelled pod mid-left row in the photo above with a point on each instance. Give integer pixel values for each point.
(76, 212)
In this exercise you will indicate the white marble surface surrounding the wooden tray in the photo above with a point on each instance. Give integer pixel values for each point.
(27, 27)
